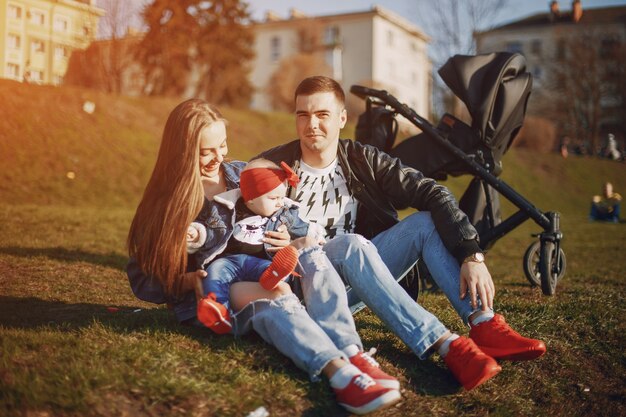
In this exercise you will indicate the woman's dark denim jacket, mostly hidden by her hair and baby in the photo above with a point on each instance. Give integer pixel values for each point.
(148, 288)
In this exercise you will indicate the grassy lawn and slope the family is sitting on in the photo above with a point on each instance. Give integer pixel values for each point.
(65, 352)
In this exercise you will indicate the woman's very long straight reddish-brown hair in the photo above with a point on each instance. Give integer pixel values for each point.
(173, 197)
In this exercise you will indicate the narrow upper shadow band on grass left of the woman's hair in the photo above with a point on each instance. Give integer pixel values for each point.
(110, 260)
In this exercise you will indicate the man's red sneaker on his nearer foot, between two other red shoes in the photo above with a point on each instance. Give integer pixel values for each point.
(470, 366)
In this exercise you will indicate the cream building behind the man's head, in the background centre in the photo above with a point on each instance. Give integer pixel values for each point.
(375, 48)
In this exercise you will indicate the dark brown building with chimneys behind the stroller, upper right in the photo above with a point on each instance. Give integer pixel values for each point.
(576, 57)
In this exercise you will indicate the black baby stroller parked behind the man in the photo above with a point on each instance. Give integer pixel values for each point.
(495, 88)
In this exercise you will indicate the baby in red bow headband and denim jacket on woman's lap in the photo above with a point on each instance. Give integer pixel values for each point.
(226, 240)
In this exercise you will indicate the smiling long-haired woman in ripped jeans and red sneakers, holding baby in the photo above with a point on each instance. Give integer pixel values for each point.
(321, 338)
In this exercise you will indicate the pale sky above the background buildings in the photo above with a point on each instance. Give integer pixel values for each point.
(517, 9)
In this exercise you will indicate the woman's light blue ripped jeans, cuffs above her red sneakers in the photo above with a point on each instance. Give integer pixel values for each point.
(310, 336)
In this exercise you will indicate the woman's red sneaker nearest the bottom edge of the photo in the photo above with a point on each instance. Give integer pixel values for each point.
(363, 395)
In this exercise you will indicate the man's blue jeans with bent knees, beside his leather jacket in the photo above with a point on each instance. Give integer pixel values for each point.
(372, 269)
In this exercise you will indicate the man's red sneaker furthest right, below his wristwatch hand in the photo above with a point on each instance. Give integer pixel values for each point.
(498, 340)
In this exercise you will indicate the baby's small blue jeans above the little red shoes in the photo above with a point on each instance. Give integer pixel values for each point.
(224, 271)
